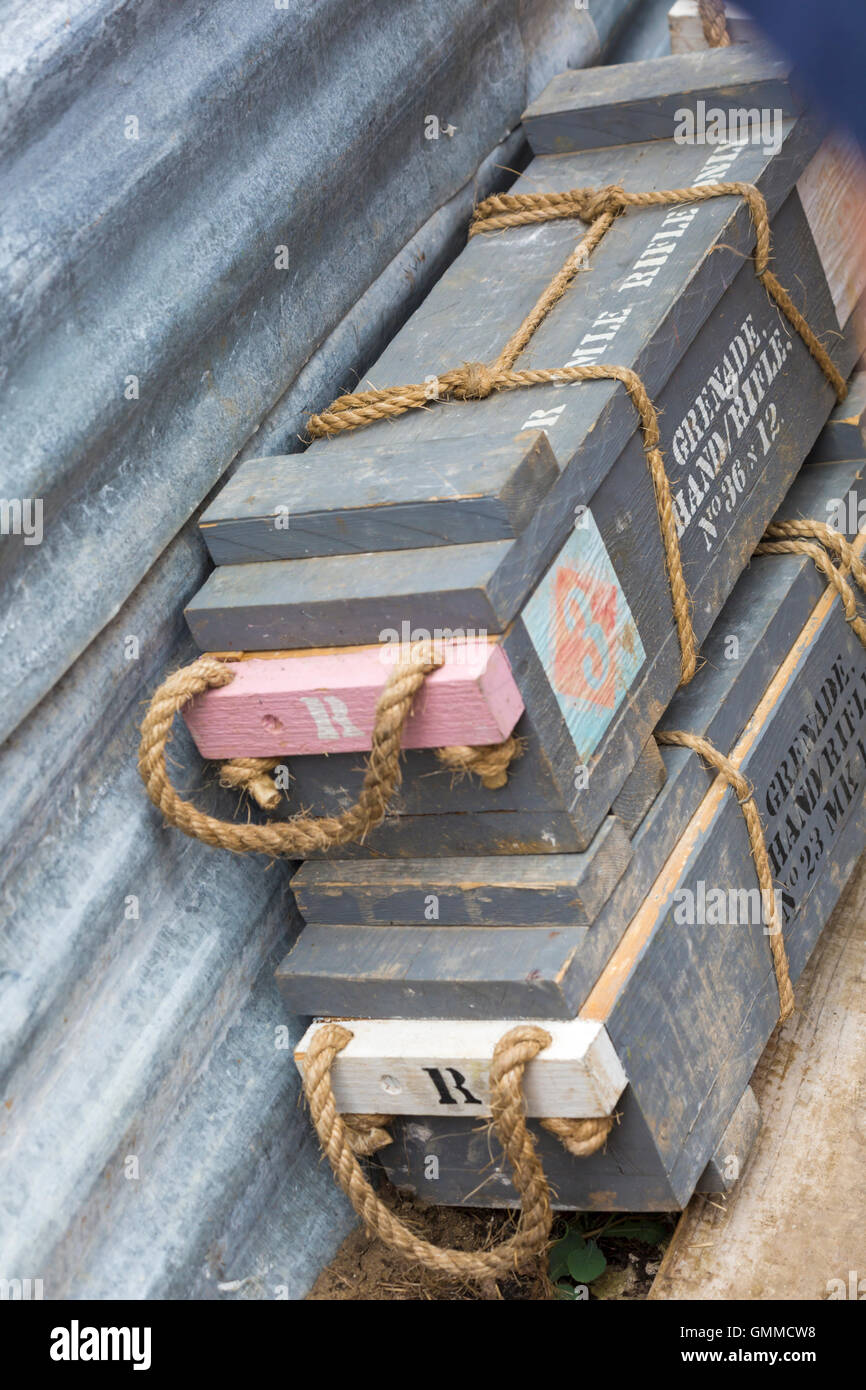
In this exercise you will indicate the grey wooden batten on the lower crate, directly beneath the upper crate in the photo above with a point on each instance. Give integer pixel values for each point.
(530, 890)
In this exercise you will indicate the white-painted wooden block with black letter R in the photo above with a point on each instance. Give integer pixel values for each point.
(434, 1067)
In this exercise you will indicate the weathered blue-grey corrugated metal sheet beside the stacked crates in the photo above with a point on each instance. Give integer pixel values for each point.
(156, 155)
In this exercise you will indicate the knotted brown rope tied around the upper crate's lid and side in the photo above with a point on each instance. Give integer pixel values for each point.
(477, 380)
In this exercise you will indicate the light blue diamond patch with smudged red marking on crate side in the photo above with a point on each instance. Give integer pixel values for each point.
(585, 635)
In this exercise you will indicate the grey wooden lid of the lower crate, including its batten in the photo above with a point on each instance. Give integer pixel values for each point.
(528, 936)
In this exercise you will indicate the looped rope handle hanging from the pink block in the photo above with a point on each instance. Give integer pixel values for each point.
(301, 835)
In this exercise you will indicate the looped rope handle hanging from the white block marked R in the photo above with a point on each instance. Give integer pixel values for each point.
(511, 1057)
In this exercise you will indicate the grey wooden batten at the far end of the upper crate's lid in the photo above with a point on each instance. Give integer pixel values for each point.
(623, 104)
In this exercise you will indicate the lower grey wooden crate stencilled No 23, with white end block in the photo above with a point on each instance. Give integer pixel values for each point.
(687, 1006)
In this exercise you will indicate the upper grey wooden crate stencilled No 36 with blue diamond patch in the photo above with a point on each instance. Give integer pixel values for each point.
(700, 312)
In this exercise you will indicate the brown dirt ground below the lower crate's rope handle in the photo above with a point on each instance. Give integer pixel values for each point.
(365, 1271)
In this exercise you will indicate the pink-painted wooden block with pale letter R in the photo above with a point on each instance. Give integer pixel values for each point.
(326, 704)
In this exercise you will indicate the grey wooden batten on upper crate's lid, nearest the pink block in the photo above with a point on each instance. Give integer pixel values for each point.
(354, 509)
